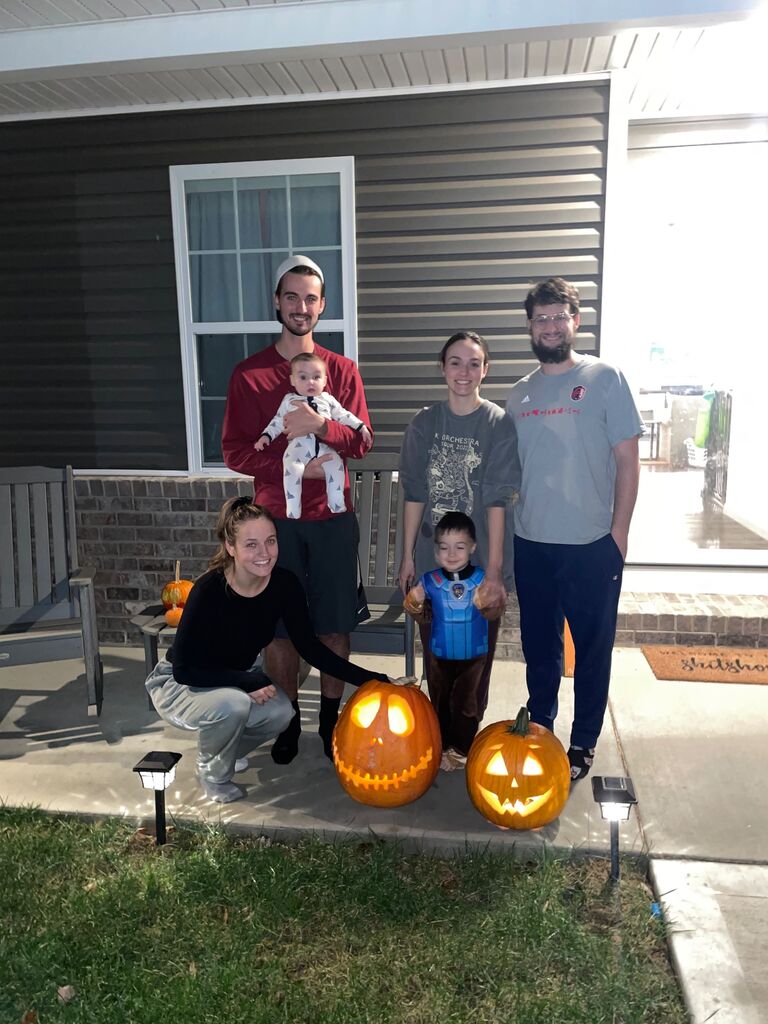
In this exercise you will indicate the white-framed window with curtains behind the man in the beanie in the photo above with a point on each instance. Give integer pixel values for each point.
(233, 226)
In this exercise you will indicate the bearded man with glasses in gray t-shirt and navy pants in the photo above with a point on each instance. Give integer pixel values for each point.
(578, 430)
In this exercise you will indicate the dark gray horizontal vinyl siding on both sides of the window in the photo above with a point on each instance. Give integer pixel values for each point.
(462, 201)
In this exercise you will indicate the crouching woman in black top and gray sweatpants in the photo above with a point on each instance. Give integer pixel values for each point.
(208, 684)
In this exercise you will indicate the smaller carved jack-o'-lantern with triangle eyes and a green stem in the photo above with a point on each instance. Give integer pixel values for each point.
(519, 775)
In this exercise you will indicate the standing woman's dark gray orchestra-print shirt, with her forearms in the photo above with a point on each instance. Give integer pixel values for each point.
(463, 464)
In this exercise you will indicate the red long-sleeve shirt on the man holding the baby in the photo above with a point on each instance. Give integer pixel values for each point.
(257, 390)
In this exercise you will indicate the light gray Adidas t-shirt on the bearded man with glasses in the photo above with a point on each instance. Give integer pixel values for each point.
(568, 425)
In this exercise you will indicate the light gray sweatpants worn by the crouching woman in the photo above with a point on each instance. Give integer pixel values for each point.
(220, 716)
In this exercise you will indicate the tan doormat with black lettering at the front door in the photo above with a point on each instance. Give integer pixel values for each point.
(709, 665)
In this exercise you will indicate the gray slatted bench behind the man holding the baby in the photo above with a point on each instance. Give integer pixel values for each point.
(378, 501)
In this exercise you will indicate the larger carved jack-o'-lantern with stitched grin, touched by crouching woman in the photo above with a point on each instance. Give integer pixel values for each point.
(387, 745)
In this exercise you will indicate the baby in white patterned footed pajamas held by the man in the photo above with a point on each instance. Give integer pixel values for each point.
(309, 378)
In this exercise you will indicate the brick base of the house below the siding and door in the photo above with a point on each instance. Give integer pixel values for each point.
(134, 530)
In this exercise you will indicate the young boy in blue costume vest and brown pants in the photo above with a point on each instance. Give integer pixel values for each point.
(459, 642)
